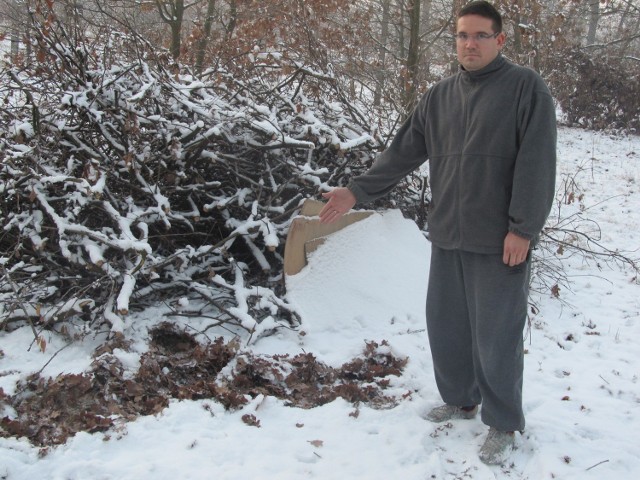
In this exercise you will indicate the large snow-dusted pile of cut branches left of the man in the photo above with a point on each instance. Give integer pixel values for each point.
(125, 178)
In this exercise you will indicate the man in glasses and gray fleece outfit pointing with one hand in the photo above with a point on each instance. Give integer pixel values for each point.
(489, 133)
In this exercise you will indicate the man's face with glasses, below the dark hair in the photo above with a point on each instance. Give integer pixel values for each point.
(475, 53)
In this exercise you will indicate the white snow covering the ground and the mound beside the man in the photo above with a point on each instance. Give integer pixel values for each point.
(368, 282)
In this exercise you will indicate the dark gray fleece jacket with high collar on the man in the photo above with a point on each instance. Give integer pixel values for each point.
(490, 138)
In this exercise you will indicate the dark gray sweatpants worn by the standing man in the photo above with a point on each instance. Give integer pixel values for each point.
(476, 312)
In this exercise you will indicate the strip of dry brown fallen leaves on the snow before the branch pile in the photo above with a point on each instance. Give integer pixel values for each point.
(51, 410)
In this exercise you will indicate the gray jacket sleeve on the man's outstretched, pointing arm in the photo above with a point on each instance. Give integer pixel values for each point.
(407, 151)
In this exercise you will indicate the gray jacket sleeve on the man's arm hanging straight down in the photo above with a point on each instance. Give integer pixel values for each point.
(535, 167)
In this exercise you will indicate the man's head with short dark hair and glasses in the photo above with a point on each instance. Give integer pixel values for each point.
(479, 36)
